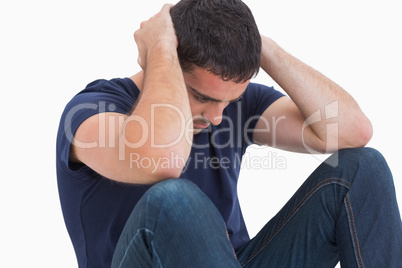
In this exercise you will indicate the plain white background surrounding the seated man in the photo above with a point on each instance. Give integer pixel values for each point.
(51, 49)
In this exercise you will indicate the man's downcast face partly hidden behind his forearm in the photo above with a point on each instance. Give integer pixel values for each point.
(209, 95)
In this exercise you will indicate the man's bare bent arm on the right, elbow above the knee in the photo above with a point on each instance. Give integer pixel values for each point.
(319, 116)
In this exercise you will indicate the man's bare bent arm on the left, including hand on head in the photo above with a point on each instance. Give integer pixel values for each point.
(140, 135)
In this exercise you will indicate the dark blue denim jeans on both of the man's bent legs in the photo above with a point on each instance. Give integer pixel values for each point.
(346, 213)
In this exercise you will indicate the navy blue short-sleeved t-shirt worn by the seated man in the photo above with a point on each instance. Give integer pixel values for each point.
(95, 208)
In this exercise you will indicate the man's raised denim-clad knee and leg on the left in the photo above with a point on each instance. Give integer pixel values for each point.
(174, 225)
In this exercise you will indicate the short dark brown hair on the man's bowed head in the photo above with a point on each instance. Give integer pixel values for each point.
(218, 35)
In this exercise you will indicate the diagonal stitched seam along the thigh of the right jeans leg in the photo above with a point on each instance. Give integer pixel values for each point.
(298, 206)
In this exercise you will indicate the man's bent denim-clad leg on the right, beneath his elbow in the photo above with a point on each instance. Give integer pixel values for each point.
(347, 213)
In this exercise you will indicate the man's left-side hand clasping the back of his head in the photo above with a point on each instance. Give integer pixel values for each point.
(157, 32)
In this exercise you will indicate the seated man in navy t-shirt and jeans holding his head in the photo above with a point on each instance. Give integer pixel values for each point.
(148, 165)
